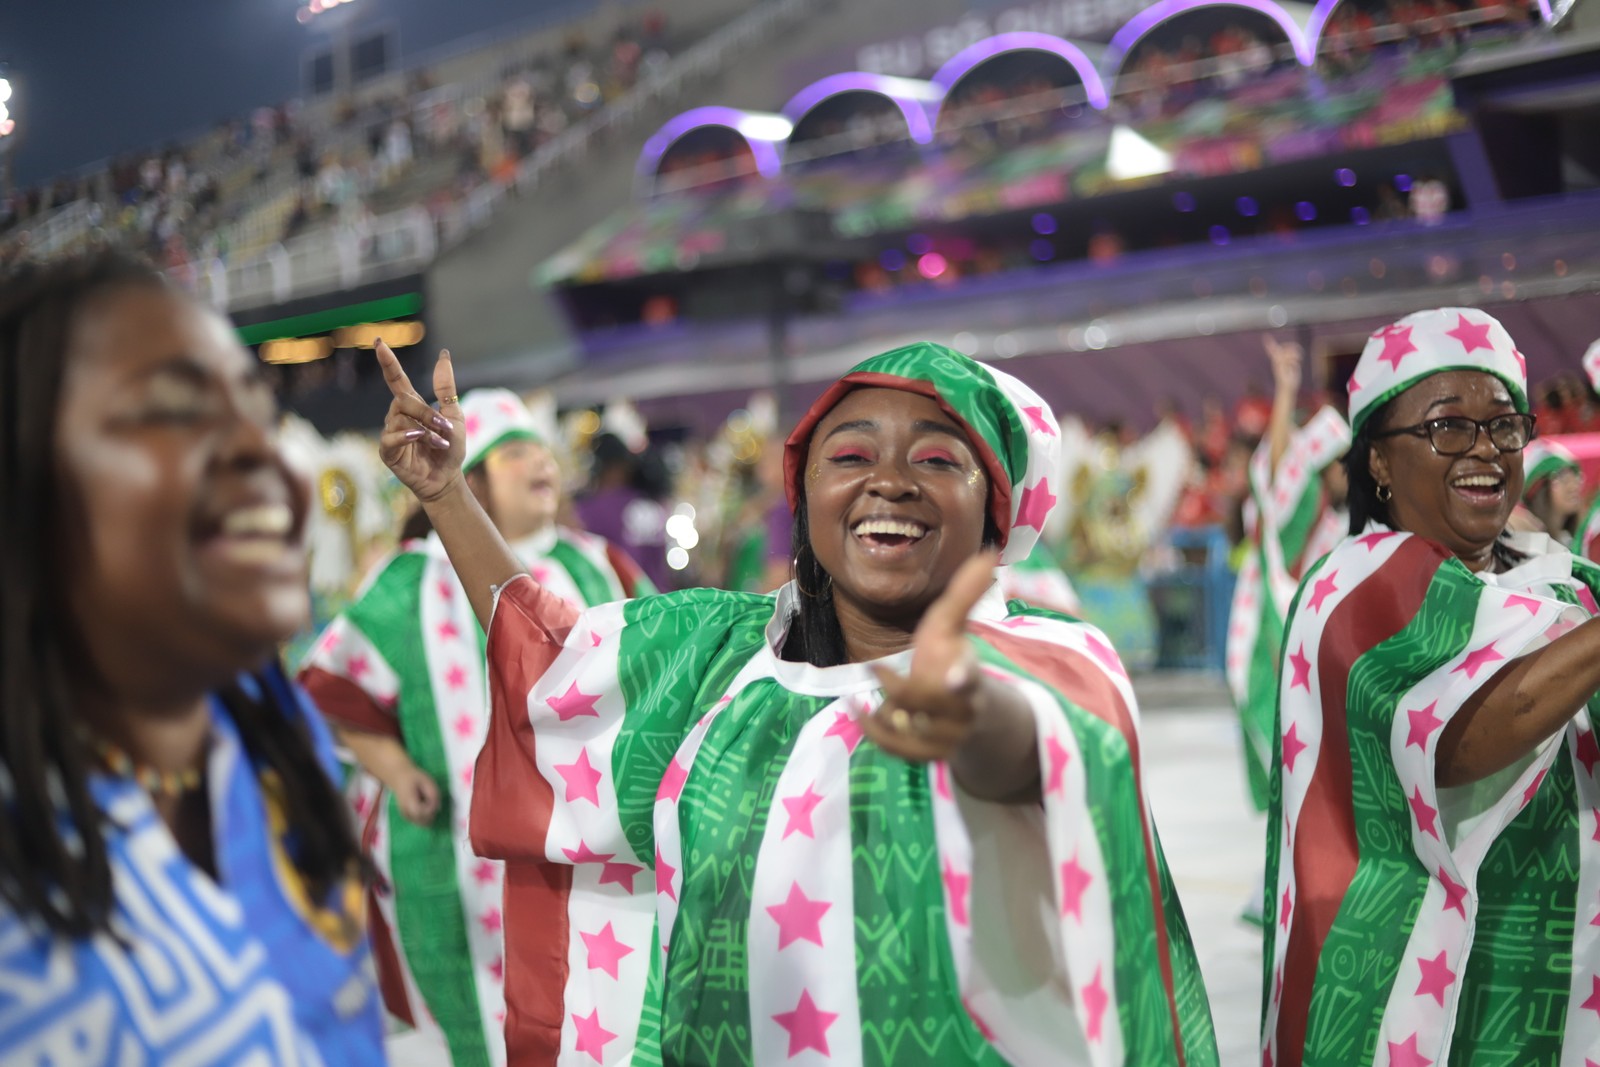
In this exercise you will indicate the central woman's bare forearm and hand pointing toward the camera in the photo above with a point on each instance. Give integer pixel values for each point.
(980, 725)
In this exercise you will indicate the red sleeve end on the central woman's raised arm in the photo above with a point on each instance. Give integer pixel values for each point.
(511, 801)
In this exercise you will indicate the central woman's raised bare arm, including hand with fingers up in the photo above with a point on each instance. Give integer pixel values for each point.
(425, 449)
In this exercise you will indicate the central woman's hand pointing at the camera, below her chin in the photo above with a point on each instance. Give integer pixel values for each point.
(934, 709)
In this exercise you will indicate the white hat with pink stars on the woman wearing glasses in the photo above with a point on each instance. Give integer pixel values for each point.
(1430, 343)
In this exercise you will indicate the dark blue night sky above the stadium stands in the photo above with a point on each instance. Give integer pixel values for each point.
(100, 78)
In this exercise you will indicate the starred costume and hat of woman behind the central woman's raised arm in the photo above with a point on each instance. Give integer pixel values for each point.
(407, 661)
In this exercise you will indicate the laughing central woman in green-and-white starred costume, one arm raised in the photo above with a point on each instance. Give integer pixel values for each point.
(876, 818)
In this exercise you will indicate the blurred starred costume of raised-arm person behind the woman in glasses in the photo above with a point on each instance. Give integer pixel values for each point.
(1295, 527)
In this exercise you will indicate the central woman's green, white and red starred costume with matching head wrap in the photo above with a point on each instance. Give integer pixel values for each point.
(708, 865)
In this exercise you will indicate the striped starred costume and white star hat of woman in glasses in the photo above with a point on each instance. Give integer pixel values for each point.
(1412, 925)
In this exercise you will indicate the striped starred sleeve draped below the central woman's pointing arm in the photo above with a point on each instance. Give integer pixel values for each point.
(1058, 913)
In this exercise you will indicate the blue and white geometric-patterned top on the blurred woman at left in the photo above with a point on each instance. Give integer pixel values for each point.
(201, 972)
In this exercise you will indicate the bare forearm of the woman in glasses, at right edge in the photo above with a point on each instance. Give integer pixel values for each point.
(1527, 701)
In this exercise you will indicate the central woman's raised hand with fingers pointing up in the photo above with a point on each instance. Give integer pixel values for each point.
(422, 446)
